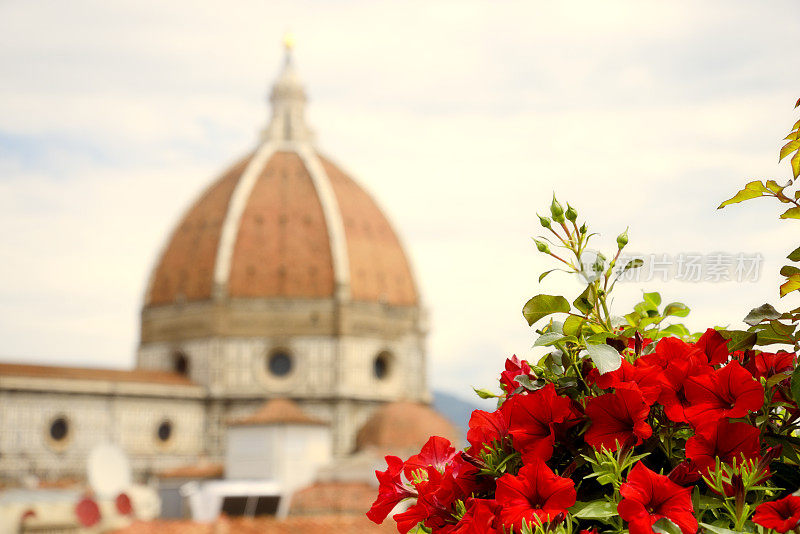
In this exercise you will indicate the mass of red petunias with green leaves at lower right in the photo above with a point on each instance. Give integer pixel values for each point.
(681, 434)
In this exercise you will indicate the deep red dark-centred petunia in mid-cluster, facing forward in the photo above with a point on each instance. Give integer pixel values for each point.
(616, 418)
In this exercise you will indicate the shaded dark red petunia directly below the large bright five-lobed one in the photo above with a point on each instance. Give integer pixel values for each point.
(724, 440)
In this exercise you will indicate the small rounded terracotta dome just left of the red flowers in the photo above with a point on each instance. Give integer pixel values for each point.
(403, 425)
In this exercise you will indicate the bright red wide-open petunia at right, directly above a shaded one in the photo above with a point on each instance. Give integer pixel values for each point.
(727, 392)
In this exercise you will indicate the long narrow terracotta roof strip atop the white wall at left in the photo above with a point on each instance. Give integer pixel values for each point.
(86, 373)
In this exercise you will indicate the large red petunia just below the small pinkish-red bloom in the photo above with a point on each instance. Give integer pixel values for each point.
(531, 419)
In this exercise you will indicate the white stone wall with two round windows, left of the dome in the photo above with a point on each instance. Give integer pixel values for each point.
(130, 422)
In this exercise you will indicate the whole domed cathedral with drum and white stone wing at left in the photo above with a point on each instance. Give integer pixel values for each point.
(283, 280)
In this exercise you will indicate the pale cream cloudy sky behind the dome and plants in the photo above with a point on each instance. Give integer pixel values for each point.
(461, 118)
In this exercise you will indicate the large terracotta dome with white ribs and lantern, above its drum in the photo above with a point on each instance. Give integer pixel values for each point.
(283, 222)
